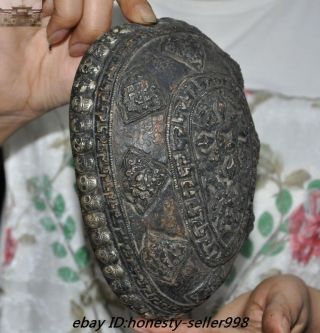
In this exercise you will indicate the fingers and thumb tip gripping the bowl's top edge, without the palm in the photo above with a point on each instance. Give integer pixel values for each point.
(86, 20)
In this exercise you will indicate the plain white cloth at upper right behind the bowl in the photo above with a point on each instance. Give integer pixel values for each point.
(276, 42)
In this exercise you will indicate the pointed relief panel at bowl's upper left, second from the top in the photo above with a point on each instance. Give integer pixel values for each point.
(140, 96)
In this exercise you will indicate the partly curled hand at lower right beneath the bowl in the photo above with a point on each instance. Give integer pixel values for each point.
(281, 304)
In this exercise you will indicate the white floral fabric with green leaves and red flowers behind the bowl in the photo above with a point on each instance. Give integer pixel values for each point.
(47, 273)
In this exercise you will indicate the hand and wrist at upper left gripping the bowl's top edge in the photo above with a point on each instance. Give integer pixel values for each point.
(34, 79)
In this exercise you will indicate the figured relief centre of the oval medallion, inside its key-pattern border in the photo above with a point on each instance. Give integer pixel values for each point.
(226, 189)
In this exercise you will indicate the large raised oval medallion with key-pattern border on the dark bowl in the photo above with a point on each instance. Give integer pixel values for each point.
(207, 155)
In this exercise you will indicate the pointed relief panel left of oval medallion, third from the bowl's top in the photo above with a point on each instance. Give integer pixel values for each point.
(144, 178)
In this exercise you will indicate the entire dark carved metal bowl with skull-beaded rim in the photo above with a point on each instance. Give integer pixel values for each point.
(165, 153)
